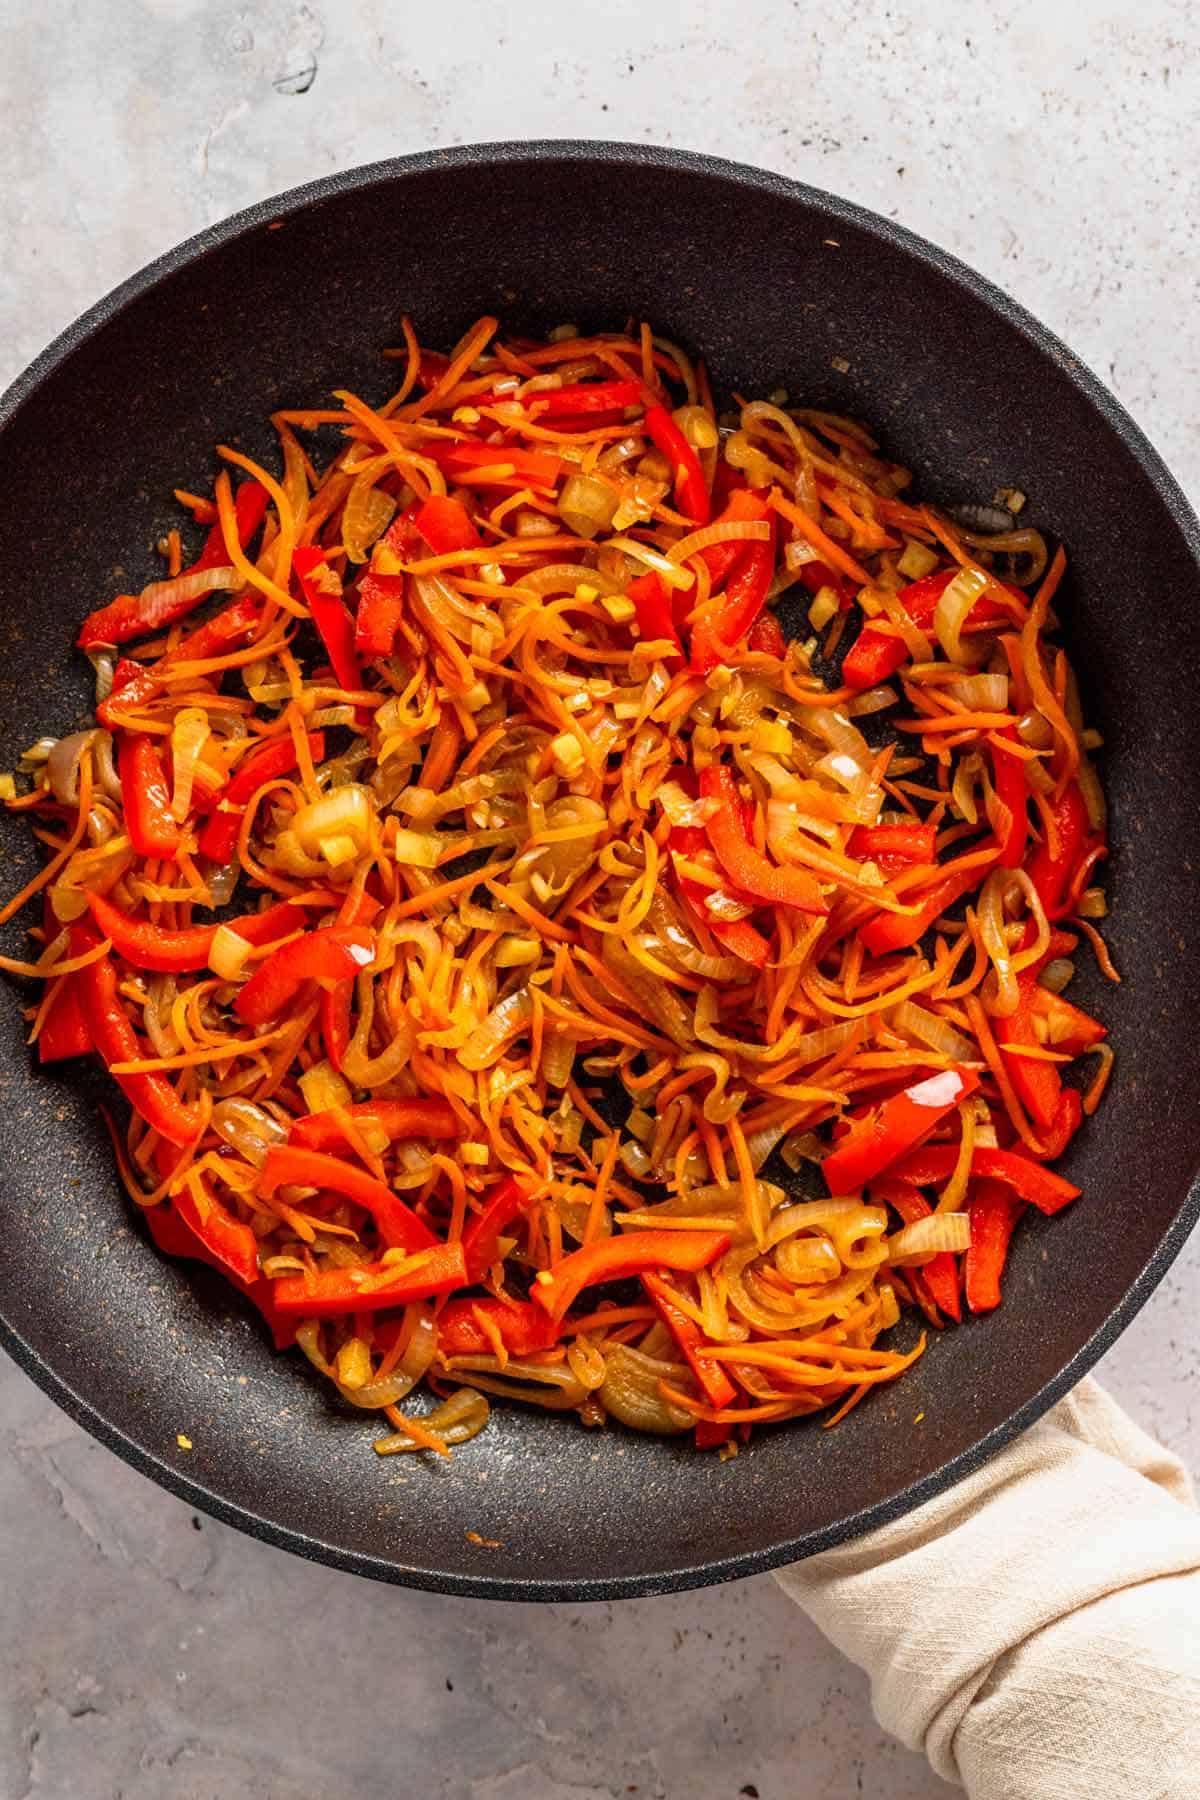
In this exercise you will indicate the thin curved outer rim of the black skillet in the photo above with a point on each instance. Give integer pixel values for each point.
(1154, 469)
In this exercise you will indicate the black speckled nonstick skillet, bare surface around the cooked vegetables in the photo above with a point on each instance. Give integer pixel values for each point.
(778, 285)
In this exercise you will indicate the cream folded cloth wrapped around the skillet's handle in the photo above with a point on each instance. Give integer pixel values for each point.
(1035, 1630)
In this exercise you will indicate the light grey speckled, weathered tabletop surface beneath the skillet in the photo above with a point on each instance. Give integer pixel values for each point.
(148, 1653)
